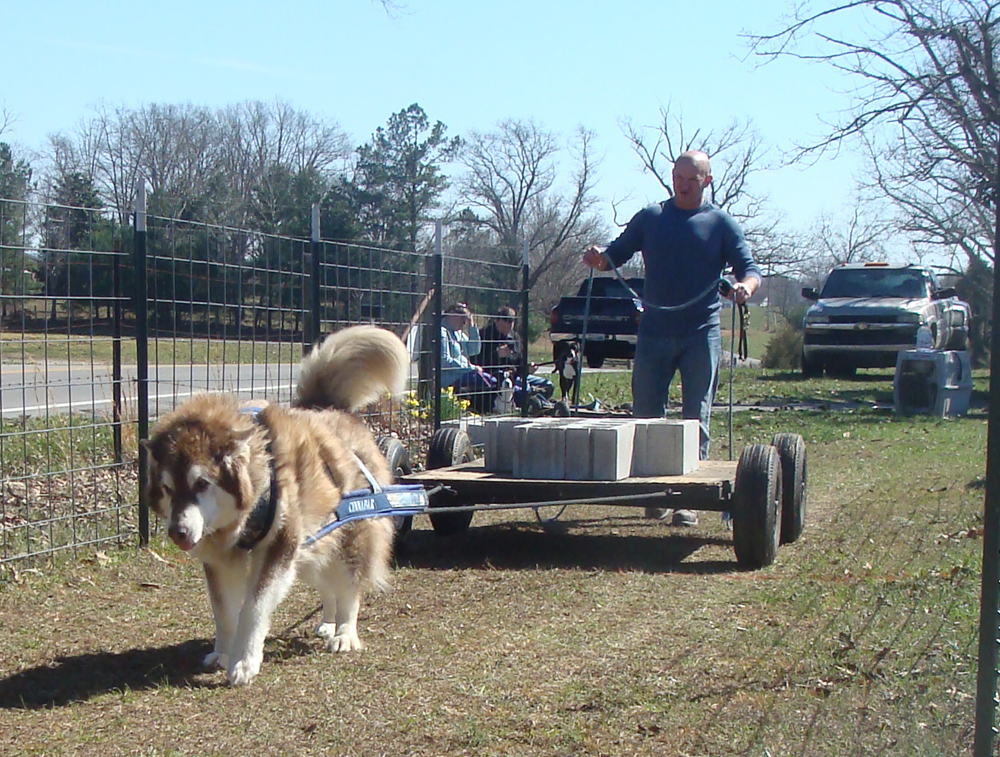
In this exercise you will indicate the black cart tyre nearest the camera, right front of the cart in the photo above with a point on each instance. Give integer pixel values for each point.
(757, 506)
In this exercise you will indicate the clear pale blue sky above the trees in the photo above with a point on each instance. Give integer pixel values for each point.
(468, 63)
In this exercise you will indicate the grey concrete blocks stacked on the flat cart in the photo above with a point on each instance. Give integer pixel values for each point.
(598, 449)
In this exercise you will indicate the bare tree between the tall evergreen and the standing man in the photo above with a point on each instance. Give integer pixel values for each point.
(510, 189)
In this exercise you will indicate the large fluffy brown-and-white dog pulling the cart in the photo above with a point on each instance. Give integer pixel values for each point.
(241, 492)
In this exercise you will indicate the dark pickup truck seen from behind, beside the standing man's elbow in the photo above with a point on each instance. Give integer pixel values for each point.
(612, 322)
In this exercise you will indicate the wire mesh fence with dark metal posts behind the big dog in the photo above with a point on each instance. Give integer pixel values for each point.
(104, 328)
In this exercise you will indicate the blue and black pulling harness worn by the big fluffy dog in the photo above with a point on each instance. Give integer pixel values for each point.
(395, 499)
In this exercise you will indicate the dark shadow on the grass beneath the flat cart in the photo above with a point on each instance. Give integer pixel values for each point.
(516, 547)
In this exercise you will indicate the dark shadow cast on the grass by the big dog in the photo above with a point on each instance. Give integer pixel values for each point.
(76, 678)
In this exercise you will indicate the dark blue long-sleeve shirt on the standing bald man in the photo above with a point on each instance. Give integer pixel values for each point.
(684, 251)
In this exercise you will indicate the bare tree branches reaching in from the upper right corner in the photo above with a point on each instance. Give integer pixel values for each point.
(927, 106)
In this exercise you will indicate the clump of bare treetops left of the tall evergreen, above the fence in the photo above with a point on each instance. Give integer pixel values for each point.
(213, 165)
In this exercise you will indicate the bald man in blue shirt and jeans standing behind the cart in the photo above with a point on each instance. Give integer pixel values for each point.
(686, 244)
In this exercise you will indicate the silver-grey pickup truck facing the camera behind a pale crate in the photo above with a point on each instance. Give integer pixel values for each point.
(866, 313)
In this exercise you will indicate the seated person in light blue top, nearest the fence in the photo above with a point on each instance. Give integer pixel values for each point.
(459, 342)
